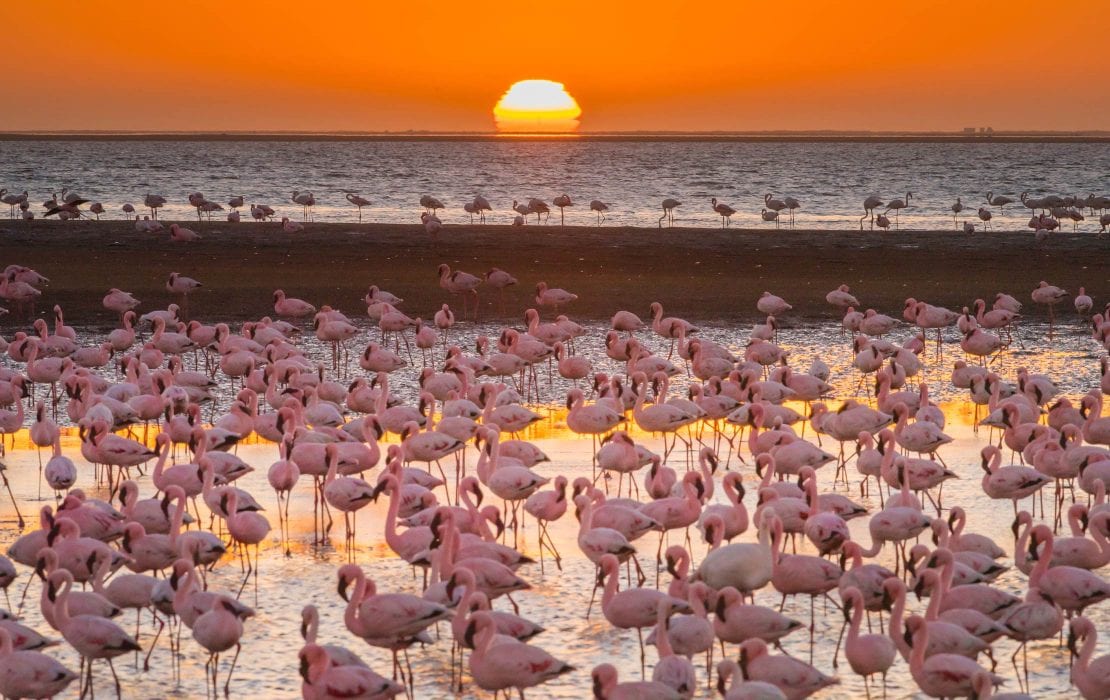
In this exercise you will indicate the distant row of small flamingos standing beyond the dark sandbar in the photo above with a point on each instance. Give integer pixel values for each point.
(1054, 210)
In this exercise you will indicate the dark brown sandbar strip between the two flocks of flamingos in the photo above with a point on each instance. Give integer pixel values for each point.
(699, 273)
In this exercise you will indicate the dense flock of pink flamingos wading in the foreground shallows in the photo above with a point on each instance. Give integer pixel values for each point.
(455, 447)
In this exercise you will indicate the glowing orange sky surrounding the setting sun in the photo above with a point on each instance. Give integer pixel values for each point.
(654, 65)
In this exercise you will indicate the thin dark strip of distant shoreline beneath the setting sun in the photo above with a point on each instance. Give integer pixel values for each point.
(771, 137)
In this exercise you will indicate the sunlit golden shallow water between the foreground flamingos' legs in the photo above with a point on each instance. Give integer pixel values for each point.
(559, 600)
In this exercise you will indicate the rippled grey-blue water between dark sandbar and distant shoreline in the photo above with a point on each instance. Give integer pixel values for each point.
(831, 180)
